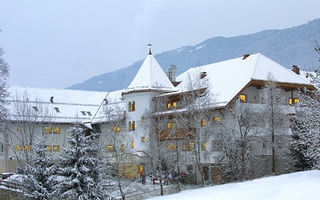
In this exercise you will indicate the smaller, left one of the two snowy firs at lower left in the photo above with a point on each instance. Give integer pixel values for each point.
(39, 173)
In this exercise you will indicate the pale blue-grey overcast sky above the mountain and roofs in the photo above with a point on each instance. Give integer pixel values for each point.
(57, 43)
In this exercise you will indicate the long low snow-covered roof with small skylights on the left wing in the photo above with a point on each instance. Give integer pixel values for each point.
(69, 106)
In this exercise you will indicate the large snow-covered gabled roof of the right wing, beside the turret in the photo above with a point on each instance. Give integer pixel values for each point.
(227, 78)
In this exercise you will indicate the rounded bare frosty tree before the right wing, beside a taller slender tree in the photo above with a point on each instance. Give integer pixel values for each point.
(236, 141)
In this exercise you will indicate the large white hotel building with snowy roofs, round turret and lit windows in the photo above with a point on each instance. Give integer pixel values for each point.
(123, 117)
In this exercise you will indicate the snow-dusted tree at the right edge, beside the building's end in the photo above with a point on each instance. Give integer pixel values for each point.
(306, 127)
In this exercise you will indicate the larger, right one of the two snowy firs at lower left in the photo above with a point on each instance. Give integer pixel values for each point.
(80, 167)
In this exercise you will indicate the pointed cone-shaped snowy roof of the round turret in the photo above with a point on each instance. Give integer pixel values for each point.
(151, 76)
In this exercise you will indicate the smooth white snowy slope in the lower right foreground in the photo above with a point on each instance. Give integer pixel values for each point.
(295, 186)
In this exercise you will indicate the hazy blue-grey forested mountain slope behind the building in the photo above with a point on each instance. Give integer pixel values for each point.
(292, 46)
